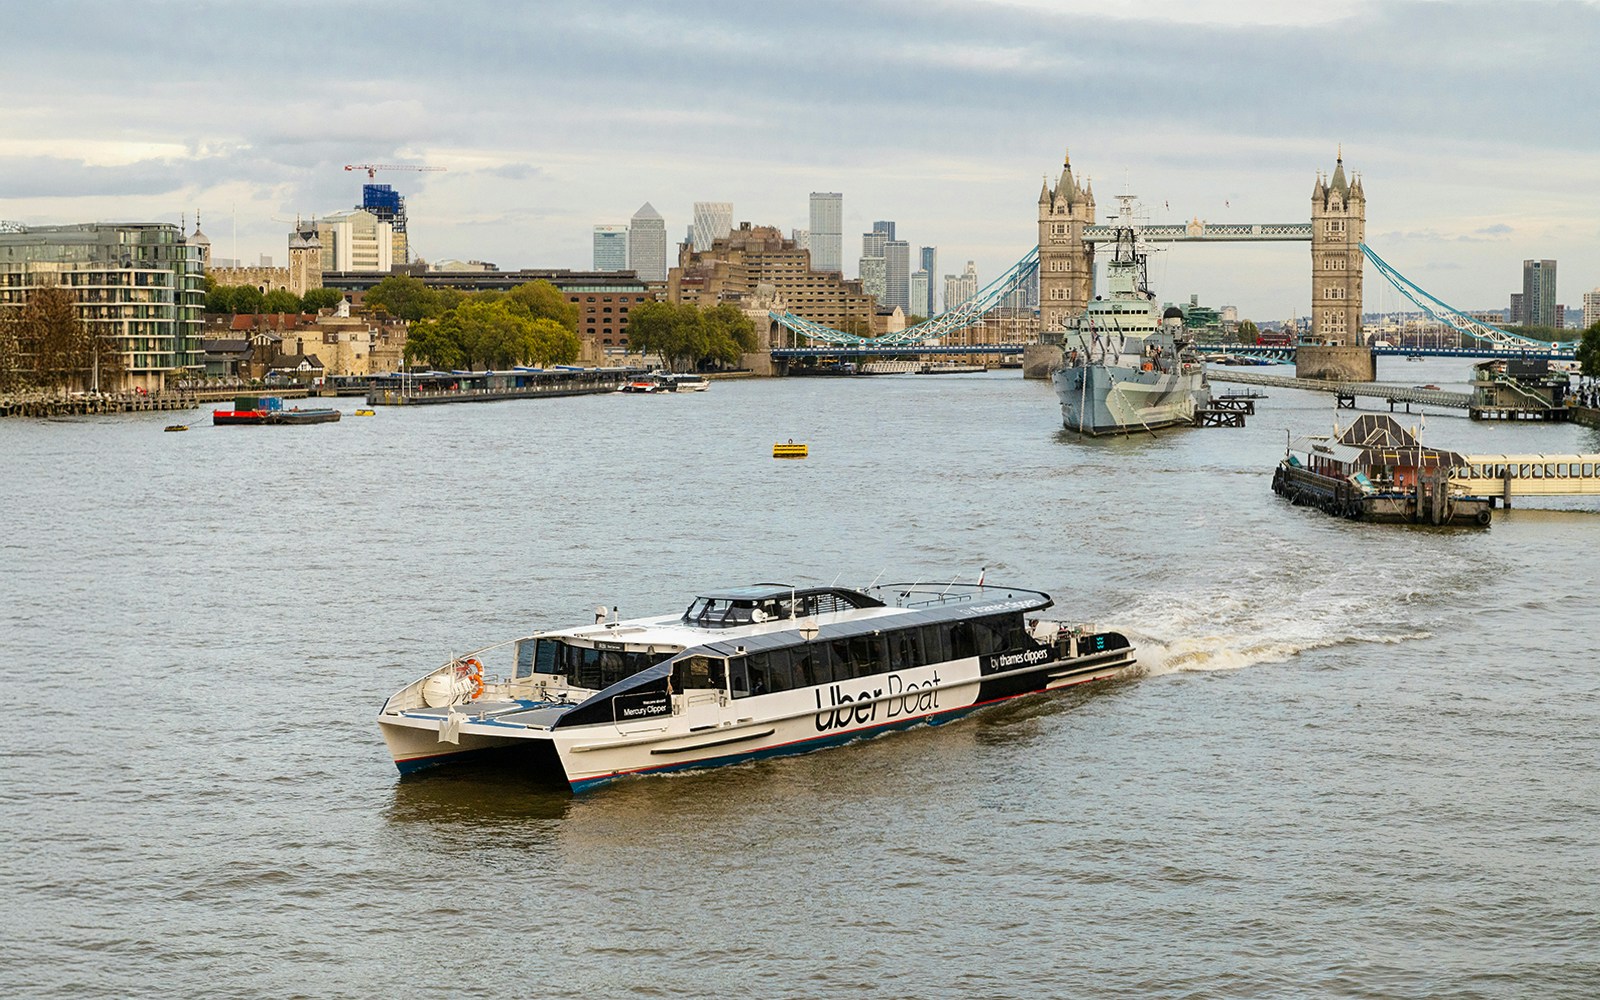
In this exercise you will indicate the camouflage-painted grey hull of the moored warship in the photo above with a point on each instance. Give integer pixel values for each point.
(1111, 399)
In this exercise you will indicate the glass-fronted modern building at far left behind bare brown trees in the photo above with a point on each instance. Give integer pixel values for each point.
(140, 286)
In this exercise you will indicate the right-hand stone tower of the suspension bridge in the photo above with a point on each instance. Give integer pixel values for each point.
(1338, 228)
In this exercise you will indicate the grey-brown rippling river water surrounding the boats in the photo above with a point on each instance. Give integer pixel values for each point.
(1361, 761)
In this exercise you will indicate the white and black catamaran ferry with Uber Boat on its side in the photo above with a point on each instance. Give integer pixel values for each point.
(743, 674)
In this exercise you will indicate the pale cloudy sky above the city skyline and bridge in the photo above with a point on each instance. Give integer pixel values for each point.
(1471, 124)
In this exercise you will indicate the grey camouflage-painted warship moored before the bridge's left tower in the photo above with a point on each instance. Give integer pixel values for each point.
(1129, 366)
